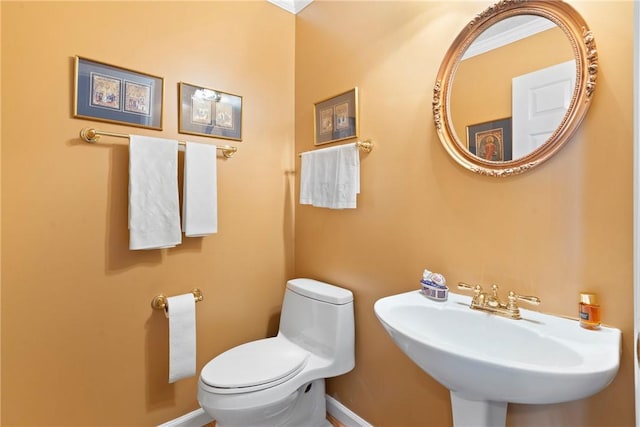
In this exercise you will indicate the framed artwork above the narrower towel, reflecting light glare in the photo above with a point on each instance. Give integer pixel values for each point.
(209, 112)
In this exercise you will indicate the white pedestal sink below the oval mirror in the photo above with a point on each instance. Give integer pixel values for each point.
(487, 361)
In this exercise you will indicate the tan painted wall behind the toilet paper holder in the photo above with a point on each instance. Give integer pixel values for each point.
(81, 345)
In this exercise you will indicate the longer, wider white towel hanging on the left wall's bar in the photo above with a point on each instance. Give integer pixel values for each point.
(154, 212)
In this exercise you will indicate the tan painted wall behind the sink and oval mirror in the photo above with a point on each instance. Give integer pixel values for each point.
(552, 232)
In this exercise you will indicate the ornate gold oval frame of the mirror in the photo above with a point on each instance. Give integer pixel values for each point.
(585, 53)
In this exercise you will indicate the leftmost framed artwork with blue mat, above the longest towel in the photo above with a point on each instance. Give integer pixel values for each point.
(113, 94)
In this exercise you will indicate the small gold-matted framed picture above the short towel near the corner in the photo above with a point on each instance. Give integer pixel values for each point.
(336, 118)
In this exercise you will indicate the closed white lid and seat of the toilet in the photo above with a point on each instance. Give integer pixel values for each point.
(254, 366)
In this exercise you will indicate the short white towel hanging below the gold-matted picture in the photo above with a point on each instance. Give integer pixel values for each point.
(330, 177)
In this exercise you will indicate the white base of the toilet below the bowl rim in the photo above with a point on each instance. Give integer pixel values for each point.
(306, 406)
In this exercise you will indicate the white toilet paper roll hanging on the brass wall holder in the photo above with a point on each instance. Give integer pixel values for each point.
(182, 336)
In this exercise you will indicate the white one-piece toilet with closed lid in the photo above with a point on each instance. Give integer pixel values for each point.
(280, 381)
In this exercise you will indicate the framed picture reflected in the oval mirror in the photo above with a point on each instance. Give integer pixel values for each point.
(491, 140)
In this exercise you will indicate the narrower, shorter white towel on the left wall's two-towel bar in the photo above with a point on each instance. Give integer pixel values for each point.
(200, 190)
